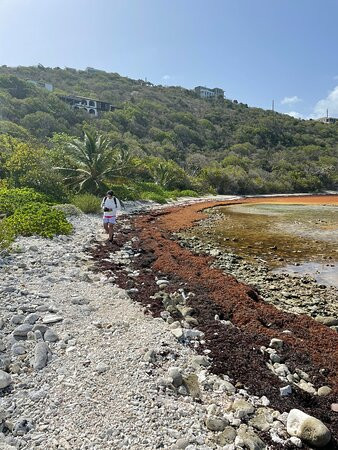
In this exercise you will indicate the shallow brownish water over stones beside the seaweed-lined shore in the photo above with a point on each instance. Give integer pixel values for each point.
(282, 235)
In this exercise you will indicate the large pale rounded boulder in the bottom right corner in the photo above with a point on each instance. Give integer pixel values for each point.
(309, 429)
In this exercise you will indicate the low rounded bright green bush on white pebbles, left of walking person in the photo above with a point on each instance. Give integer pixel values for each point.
(40, 219)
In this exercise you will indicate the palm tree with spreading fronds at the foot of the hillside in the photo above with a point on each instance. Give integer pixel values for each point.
(93, 162)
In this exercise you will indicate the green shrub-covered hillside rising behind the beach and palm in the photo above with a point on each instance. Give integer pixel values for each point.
(171, 136)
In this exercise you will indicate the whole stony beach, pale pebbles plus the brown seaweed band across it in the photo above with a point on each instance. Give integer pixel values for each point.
(160, 340)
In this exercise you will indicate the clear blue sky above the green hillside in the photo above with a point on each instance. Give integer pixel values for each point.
(256, 50)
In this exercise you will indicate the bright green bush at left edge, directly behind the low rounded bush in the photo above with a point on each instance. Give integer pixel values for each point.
(10, 199)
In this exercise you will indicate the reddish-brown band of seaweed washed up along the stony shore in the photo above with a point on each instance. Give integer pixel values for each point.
(158, 255)
